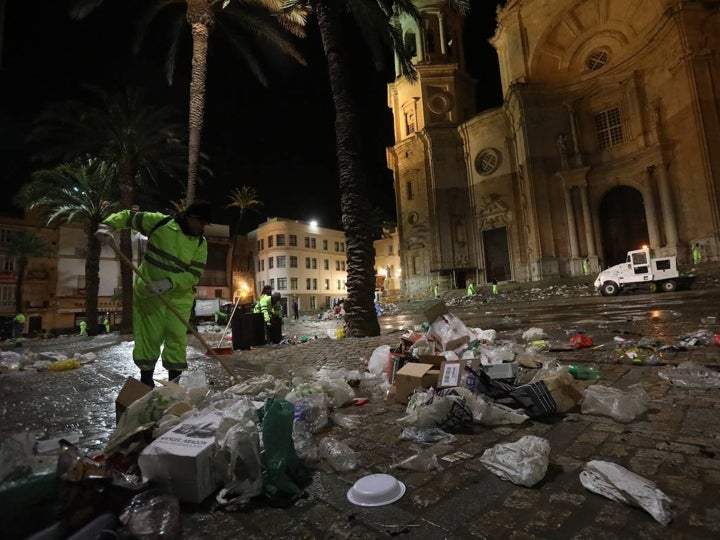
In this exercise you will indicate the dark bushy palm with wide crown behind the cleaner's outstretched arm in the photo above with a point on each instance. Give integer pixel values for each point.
(139, 140)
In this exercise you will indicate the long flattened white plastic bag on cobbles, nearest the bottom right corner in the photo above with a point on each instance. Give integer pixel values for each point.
(619, 484)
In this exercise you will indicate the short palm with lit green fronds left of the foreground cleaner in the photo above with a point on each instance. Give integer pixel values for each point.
(79, 192)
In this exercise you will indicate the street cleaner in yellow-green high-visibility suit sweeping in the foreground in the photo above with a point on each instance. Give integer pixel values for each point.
(174, 260)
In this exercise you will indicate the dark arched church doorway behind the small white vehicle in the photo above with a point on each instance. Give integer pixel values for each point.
(623, 223)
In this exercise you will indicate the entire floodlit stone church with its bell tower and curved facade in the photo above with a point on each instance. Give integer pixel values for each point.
(607, 139)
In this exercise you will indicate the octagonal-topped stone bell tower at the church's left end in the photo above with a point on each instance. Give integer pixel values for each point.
(428, 158)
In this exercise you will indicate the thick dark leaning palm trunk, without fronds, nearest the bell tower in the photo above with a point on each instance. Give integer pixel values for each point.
(360, 319)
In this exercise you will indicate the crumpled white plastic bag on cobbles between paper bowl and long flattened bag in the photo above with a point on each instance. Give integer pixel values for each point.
(523, 462)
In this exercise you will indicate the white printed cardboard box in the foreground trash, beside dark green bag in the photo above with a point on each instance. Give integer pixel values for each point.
(182, 459)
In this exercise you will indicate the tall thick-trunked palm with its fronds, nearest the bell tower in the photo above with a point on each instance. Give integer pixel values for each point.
(374, 20)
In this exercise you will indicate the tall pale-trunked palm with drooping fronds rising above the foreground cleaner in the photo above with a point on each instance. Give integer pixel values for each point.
(248, 20)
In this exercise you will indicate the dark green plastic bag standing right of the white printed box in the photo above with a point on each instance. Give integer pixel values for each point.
(284, 475)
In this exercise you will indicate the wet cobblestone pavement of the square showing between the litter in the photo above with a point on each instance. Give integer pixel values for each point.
(675, 444)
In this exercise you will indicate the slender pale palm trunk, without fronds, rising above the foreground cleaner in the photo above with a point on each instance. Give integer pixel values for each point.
(200, 18)
